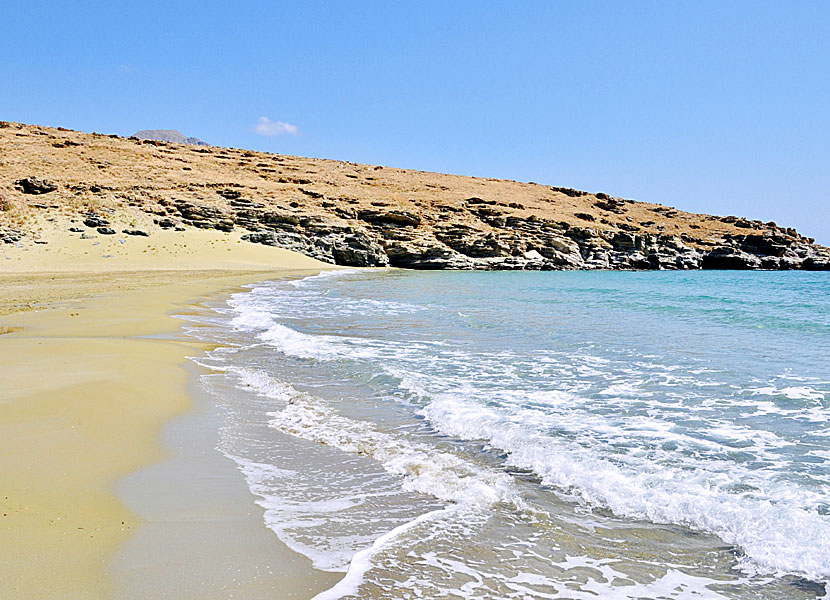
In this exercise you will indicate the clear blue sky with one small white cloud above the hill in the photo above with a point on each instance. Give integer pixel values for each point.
(720, 107)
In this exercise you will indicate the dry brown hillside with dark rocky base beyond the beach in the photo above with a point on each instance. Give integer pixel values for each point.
(361, 215)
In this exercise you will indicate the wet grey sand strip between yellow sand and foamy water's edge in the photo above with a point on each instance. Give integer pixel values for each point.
(196, 505)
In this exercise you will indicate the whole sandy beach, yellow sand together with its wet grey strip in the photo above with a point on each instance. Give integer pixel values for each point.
(93, 367)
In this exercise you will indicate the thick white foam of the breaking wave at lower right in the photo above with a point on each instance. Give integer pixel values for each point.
(772, 526)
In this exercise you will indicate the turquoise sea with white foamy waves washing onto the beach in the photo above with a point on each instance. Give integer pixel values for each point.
(581, 435)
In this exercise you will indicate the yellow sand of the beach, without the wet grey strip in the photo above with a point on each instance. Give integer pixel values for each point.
(89, 382)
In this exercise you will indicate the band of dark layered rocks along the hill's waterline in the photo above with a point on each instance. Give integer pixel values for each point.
(500, 241)
